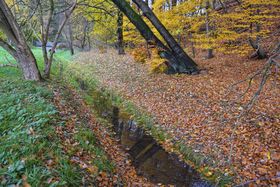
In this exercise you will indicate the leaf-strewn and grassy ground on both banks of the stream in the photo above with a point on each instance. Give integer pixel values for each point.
(74, 147)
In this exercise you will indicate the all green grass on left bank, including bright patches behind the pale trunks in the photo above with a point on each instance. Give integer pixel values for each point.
(28, 138)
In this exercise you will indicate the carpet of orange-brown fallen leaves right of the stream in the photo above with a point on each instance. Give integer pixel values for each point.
(202, 111)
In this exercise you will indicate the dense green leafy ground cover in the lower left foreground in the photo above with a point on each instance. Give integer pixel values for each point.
(27, 123)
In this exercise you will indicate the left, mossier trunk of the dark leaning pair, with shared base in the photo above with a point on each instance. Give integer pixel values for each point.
(176, 64)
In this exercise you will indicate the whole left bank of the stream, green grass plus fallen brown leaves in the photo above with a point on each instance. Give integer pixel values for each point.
(49, 137)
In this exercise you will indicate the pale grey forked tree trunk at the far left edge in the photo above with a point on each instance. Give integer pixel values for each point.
(20, 49)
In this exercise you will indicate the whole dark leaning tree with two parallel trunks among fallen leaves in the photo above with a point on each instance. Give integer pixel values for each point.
(177, 59)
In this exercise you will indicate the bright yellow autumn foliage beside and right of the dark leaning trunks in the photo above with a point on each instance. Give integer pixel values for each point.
(228, 33)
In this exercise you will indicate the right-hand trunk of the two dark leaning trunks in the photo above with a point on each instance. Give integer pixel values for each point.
(179, 53)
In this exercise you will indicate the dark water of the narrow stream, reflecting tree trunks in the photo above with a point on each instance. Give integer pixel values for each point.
(151, 160)
